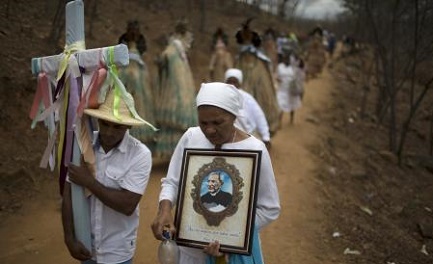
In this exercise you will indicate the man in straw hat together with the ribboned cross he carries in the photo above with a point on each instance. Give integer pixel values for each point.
(100, 226)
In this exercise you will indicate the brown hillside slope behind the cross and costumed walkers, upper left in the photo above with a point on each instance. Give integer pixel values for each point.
(26, 32)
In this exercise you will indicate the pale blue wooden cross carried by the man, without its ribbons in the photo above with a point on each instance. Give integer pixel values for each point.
(90, 60)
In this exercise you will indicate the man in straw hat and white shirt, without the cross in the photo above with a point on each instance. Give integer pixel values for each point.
(122, 173)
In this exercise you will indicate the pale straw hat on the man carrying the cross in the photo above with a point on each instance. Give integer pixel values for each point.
(105, 112)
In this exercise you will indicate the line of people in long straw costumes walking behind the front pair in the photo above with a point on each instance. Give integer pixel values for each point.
(273, 66)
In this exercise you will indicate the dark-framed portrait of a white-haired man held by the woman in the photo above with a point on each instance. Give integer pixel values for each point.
(217, 197)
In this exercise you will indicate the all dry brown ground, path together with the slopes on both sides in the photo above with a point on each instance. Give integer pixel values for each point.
(340, 190)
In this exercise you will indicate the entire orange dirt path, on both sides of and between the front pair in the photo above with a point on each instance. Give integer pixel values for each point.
(34, 234)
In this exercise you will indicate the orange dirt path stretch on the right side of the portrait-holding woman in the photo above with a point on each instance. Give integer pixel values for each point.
(295, 237)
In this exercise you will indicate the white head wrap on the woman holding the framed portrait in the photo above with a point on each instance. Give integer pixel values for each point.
(221, 95)
